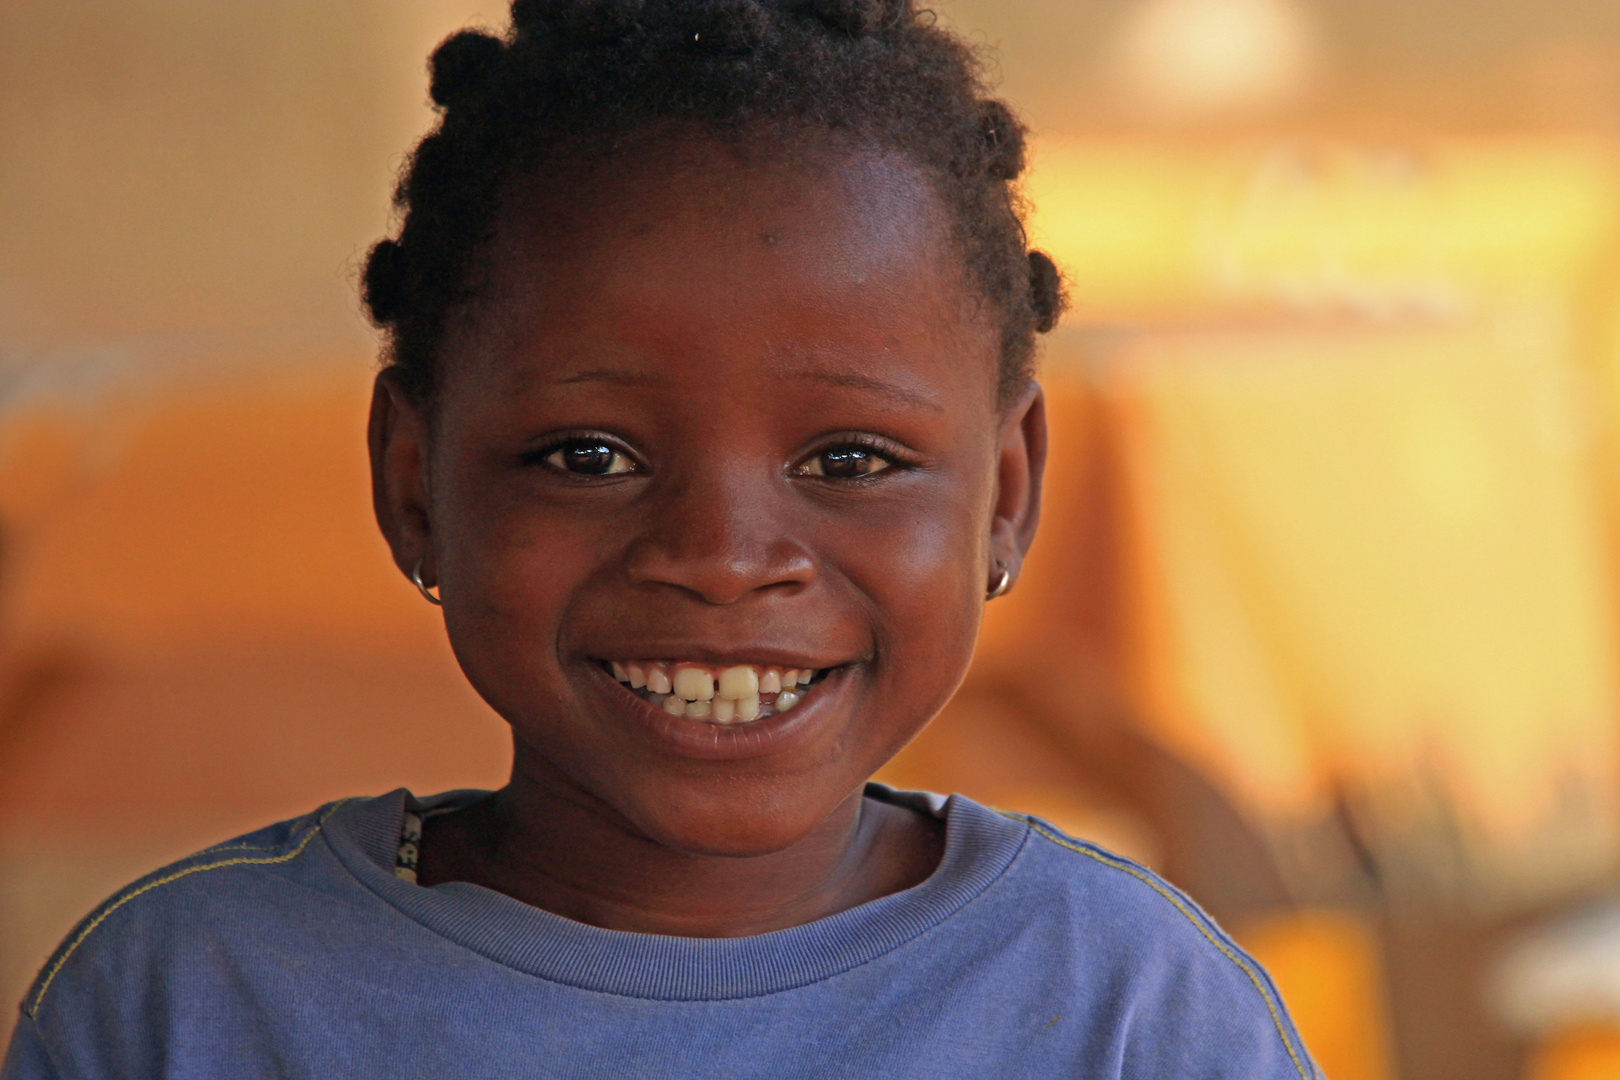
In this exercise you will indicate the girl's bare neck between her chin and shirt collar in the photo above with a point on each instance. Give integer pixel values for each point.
(556, 848)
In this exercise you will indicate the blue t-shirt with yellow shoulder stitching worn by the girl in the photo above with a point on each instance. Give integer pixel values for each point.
(297, 953)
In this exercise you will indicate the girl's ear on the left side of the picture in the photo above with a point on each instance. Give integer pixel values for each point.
(398, 438)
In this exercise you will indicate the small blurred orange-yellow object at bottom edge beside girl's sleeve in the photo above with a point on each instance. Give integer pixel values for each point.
(1326, 969)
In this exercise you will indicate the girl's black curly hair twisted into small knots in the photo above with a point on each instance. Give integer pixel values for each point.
(579, 74)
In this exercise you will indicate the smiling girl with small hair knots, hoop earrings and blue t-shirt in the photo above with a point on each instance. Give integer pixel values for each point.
(710, 417)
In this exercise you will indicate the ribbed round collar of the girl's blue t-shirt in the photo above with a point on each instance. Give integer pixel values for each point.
(979, 846)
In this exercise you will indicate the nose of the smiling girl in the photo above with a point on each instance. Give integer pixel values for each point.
(722, 535)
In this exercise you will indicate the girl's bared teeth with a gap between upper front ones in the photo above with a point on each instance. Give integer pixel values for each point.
(717, 694)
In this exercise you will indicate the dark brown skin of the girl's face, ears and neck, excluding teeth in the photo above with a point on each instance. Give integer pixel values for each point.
(728, 402)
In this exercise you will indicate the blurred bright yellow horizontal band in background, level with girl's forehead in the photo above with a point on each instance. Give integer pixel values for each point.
(1157, 229)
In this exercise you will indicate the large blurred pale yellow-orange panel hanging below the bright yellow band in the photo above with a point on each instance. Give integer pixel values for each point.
(1371, 572)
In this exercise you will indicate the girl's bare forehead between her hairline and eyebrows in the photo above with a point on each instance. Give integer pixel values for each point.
(680, 250)
